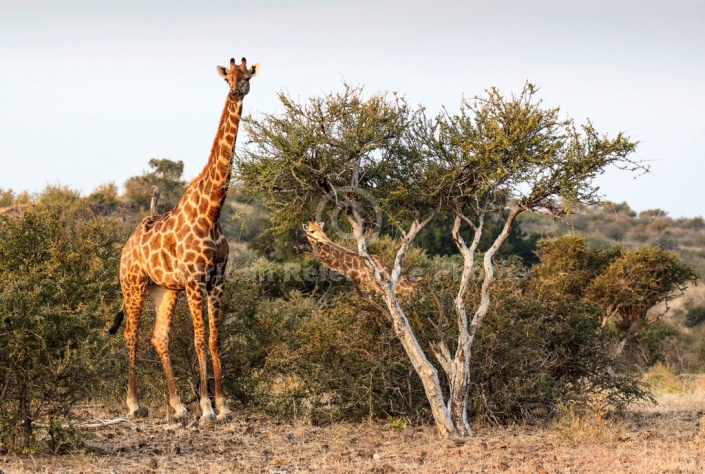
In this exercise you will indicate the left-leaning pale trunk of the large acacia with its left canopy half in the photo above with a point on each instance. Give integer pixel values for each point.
(362, 159)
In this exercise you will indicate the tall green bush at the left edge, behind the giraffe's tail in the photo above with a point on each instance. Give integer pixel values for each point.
(58, 267)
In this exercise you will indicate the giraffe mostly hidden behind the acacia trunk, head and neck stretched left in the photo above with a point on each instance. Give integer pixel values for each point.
(351, 264)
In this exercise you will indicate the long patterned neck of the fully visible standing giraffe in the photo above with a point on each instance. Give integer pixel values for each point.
(207, 191)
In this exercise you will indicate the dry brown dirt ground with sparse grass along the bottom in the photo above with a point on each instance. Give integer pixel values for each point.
(665, 438)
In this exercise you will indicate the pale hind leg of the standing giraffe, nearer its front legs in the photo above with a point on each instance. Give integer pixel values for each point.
(165, 300)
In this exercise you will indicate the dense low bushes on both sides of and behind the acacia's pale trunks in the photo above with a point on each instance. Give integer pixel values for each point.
(318, 350)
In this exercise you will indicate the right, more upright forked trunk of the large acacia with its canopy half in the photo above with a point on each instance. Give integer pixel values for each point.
(511, 155)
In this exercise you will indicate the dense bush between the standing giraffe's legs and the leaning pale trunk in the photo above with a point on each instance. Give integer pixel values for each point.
(298, 344)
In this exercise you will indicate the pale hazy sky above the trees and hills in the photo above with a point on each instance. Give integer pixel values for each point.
(91, 90)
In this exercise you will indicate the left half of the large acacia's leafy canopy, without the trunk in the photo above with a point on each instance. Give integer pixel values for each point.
(331, 148)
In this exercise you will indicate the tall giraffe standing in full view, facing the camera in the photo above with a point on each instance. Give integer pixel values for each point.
(185, 249)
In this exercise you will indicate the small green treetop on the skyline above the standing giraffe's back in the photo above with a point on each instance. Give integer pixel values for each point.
(166, 175)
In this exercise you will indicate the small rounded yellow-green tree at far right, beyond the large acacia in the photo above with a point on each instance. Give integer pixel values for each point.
(626, 283)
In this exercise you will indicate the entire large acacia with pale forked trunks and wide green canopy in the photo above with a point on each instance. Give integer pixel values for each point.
(379, 158)
